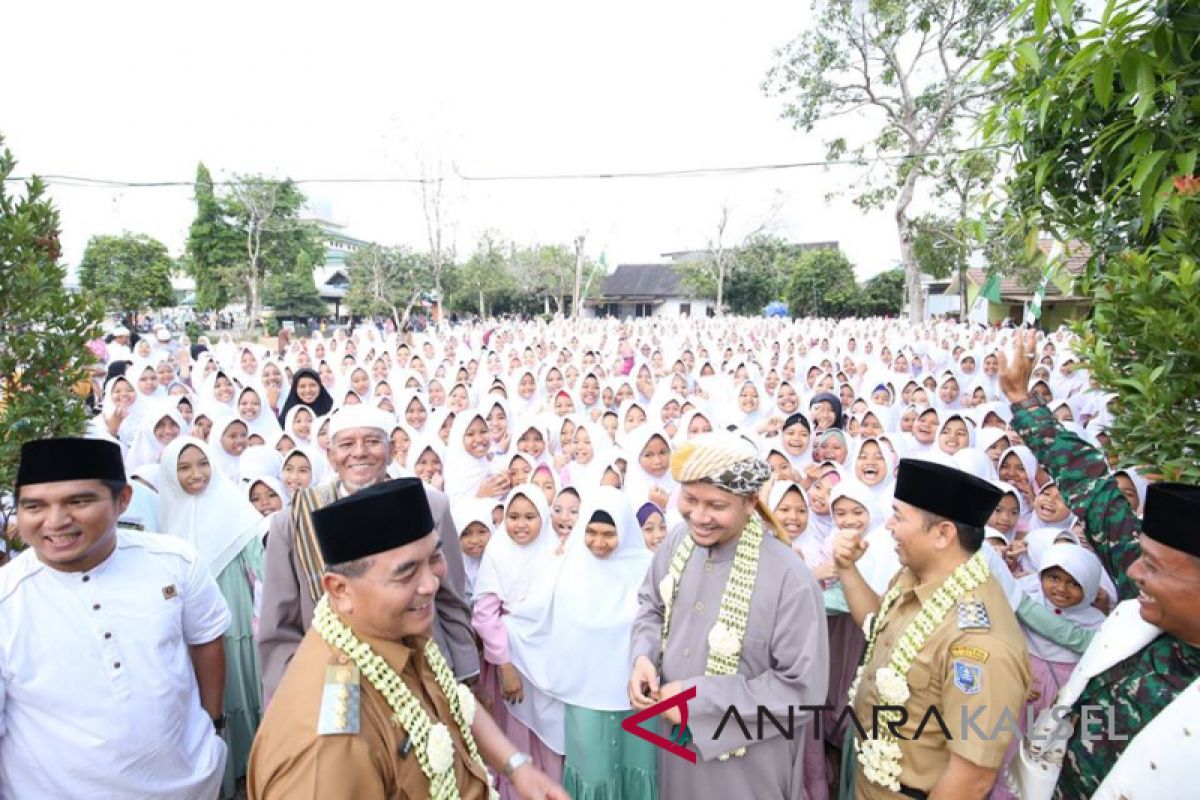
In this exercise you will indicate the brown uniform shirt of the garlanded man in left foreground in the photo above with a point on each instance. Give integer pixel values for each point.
(292, 760)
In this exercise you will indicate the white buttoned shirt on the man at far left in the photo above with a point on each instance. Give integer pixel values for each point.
(98, 693)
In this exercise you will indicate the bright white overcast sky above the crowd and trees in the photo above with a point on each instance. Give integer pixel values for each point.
(142, 92)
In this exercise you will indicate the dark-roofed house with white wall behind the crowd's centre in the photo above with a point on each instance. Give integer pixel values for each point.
(647, 291)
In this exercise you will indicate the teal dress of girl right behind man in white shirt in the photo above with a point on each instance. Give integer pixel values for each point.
(244, 684)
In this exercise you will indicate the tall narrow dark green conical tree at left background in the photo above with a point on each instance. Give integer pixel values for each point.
(214, 248)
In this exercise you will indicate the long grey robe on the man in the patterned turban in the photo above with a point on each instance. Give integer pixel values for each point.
(785, 663)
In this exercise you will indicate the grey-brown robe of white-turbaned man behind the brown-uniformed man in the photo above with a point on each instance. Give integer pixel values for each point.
(287, 607)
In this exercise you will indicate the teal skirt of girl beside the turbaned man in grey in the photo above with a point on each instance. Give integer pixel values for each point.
(604, 762)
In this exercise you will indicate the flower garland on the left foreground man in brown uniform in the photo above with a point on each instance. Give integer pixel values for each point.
(431, 741)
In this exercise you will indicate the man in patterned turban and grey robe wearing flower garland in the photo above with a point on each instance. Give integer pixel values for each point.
(730, 611)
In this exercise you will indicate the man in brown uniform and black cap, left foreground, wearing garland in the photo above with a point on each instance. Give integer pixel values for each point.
(369, 708)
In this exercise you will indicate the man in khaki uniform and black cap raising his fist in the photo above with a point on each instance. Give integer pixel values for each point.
(943, 637)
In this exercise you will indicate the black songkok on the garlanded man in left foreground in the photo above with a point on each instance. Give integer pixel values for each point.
(375, 520)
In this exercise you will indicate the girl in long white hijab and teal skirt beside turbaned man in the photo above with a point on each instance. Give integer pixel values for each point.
(591, 618)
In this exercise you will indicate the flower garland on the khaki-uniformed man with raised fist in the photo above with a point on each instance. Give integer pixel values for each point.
(881, 757)
